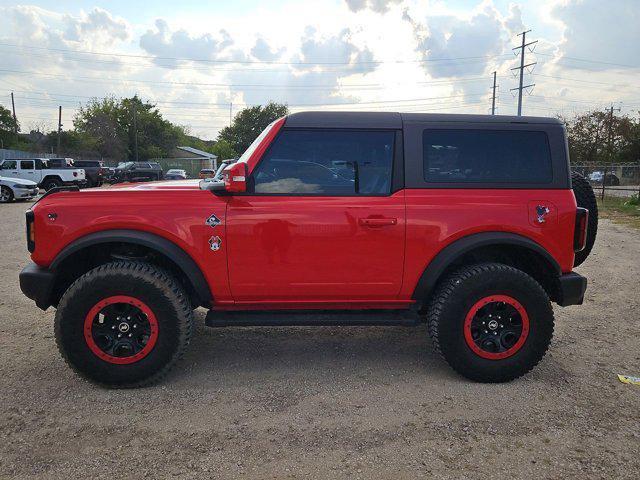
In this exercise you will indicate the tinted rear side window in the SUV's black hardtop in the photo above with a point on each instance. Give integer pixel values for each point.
(486, 156)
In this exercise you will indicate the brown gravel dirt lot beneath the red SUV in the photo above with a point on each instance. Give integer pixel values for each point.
(330, 402)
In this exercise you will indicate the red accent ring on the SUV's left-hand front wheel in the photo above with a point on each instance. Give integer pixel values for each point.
(129, 302)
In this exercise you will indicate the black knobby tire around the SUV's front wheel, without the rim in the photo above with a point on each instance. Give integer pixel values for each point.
(153, 286)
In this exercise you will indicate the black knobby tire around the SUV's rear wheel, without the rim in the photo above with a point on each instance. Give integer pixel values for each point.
(454, 298)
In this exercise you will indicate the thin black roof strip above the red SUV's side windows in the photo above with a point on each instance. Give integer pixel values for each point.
(396, 119)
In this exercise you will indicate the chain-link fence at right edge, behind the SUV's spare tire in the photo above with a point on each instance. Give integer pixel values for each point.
(611, 180)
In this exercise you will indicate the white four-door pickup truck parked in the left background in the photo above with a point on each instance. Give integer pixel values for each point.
(38, 170)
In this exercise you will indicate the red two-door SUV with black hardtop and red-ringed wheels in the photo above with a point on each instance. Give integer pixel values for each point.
(470, 224)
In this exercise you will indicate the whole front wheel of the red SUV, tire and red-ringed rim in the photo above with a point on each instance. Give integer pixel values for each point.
(123, 324)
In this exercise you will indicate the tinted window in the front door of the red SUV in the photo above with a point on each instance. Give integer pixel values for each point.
(327, 162)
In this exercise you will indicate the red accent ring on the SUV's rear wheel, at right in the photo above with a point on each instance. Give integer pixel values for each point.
(523, 321)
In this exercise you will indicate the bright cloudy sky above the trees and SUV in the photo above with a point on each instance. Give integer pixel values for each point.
(201, 62)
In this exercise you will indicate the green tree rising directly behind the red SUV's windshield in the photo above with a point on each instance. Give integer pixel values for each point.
(249, 123)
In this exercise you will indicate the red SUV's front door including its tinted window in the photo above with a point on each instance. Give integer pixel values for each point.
(322, 221)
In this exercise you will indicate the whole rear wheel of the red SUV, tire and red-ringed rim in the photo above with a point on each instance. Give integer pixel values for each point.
(491, 322)
